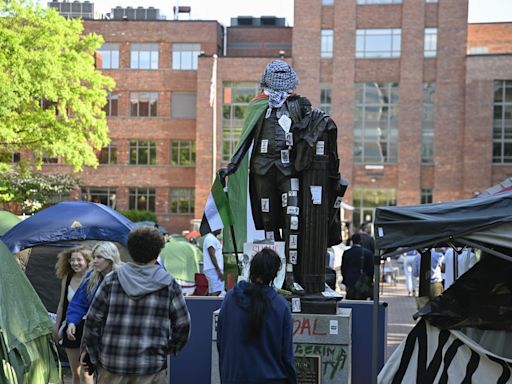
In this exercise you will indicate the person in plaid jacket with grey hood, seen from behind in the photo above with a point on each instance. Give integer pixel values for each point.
(137, 317)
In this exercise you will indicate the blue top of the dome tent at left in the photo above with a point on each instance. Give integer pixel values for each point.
(67, 221)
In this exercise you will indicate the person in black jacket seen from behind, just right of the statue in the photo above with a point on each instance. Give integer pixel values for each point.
(353, 259)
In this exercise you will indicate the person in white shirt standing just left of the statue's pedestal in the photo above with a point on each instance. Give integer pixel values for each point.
(213, 263)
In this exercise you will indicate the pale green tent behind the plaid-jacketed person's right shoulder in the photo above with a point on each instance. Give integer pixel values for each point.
(181, 259)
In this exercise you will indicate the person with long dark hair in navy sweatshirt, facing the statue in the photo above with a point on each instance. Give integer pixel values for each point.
(254, 328)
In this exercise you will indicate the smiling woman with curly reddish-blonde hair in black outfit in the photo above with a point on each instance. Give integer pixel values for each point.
(71, 267)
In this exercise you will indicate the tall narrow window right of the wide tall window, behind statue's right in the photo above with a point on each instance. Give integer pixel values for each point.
(427, 123)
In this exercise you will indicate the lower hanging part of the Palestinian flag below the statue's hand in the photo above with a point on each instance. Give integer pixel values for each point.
(217, 213)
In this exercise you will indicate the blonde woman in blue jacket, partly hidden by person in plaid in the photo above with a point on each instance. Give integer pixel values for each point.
(106, 258)
